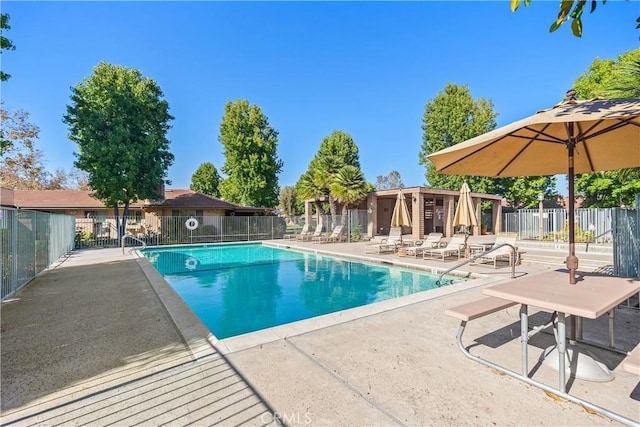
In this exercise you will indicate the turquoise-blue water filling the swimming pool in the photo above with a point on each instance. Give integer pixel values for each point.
(240, 288)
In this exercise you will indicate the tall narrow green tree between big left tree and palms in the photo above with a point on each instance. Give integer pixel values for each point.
(251, 162)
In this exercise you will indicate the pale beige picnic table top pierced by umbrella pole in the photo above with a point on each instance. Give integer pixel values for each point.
(592, 296)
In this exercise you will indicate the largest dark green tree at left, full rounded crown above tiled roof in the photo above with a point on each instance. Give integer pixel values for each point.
(119, 120)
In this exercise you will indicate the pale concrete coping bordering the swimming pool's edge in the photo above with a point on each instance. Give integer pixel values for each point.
(201, 341)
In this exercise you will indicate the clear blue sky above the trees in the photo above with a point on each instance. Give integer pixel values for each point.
(366, 68)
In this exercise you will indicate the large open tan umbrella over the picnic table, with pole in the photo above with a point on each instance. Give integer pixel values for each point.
(572, 137)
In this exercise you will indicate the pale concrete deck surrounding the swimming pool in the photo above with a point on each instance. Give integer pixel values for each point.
(100, 339)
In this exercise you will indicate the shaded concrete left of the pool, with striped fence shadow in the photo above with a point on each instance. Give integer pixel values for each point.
(92, 343)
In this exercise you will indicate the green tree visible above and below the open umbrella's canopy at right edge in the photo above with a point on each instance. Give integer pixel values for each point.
(609, 78)
